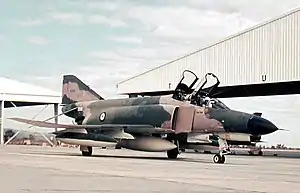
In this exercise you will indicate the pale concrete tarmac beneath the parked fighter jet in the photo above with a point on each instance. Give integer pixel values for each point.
(54, 169)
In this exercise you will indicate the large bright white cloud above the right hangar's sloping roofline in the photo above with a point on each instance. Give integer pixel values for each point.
(187, 23)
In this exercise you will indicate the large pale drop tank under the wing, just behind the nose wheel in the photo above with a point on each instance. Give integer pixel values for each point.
(149, 144)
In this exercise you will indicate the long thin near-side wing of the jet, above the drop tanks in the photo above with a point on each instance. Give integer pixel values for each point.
(127, 127)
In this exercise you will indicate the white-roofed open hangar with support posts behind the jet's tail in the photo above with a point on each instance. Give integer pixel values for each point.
(18, 94)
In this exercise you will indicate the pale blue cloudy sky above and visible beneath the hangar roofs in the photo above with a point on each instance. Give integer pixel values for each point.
(105, 42)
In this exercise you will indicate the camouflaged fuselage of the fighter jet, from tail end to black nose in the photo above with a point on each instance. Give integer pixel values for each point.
(238, 126)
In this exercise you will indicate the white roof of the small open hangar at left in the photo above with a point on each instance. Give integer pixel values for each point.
(25, 94)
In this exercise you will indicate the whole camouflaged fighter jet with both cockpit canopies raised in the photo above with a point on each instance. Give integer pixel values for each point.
(158, 123)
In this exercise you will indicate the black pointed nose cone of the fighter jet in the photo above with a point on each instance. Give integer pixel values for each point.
(260, 126)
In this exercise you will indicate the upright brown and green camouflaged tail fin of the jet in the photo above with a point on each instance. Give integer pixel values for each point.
(74, 90)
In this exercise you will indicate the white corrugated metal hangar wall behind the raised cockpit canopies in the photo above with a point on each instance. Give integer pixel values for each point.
(270, 50)
